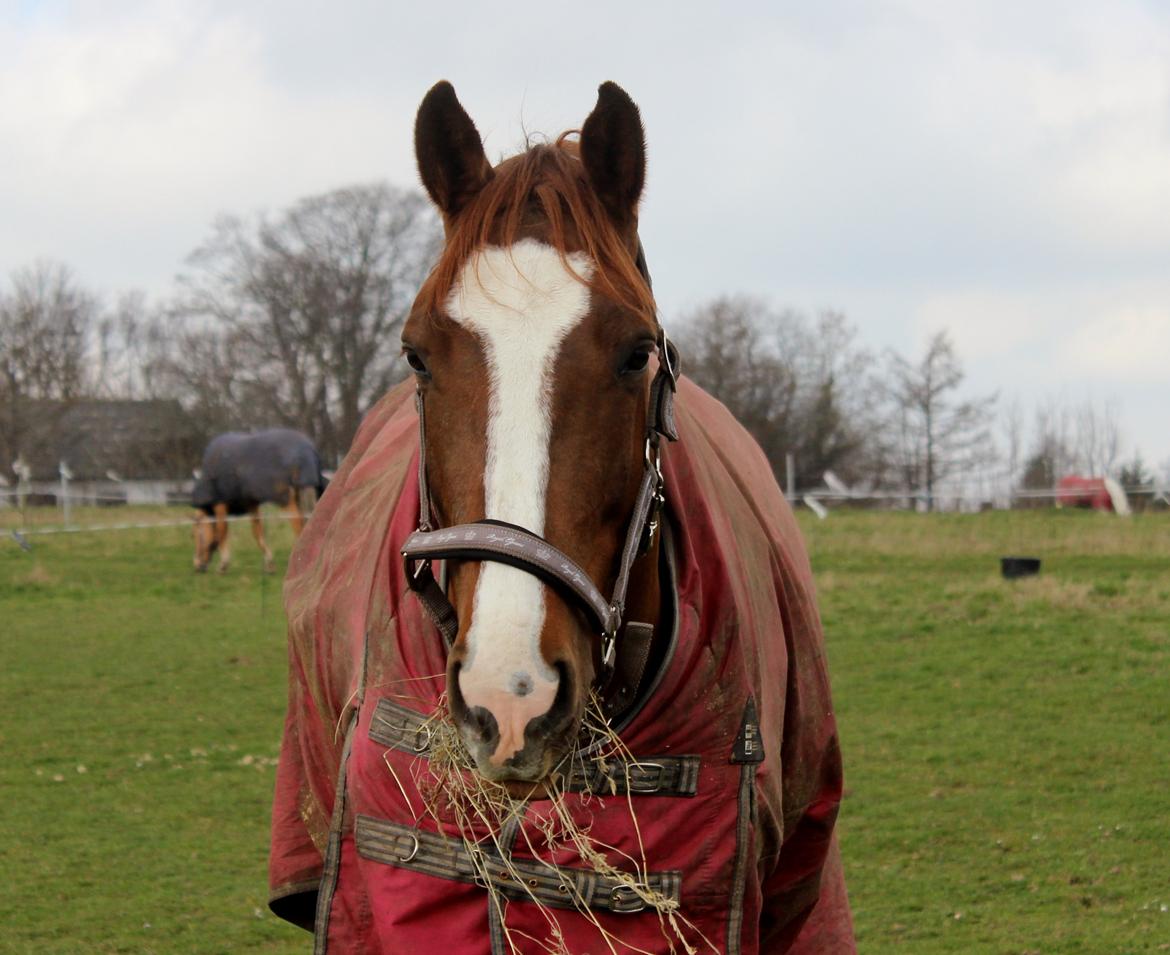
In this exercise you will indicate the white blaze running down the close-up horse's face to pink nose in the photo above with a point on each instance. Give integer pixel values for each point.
(521, 303)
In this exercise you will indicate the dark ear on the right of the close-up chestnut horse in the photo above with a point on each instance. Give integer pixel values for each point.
(614, 150)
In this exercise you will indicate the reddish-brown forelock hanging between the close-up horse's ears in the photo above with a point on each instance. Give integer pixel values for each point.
(547, 182)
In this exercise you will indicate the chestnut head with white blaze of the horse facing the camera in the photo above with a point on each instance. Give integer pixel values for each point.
(532, 342)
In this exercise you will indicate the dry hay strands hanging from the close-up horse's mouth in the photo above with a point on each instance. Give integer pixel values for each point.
(458, 799)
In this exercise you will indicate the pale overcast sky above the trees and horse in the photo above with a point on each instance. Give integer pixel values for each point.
(1001, 170)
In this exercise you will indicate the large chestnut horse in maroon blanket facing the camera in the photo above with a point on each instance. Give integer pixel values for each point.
(558, 679)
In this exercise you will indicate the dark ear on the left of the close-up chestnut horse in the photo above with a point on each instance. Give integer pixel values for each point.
(449, 150)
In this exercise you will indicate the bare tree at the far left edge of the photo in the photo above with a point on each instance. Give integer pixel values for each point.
(46, 321)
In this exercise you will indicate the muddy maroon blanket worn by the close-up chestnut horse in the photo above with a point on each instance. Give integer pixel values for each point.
(738, 774)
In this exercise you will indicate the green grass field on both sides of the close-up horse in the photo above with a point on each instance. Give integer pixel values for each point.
(1007, 745)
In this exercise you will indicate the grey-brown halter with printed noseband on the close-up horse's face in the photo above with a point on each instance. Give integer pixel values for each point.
(521, 548)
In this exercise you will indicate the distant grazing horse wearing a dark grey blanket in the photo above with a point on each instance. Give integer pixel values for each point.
(243, 471)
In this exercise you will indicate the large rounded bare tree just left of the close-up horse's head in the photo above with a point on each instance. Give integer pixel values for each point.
(299, 318)
